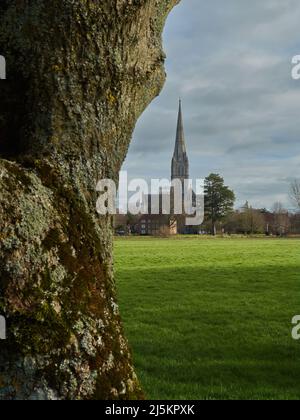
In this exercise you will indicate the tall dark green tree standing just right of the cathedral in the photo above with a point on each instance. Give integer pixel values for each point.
(219, 200)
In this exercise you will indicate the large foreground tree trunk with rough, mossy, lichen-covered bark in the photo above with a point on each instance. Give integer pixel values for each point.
(80, 72)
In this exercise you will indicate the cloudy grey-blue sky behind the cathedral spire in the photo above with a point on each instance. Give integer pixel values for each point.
(230, 62)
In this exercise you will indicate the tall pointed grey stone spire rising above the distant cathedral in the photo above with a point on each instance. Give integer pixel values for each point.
(180, 163)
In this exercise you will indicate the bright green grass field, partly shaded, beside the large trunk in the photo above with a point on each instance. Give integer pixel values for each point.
(211, 318)
